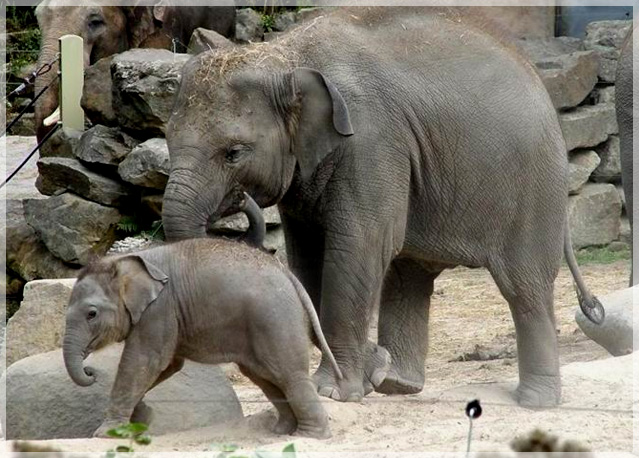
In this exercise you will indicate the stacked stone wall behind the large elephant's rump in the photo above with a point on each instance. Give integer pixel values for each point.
(580, 75)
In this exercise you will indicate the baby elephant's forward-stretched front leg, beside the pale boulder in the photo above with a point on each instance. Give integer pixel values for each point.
(138, 372)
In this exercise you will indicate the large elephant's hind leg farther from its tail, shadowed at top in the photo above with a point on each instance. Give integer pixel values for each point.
(403, 325)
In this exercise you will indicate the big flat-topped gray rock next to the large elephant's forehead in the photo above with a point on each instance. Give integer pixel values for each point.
(144, 85)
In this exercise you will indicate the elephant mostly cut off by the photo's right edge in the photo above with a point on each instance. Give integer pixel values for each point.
(625, 107)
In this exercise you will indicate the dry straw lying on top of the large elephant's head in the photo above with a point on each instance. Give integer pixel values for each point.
(218, 64)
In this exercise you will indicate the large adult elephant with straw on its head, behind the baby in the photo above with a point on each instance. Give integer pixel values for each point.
(398, 143)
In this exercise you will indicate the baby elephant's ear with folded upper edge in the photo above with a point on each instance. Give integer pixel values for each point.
(140, 283)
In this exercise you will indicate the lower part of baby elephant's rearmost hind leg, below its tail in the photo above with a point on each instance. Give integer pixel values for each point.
(312, 419)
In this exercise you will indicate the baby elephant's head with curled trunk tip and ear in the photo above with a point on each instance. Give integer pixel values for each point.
(108, 298)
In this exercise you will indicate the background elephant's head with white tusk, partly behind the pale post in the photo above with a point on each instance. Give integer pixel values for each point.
(106, 30)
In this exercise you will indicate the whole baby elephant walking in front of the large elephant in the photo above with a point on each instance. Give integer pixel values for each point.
(210, 301)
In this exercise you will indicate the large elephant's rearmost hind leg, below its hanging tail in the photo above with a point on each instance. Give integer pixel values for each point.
(531, 304)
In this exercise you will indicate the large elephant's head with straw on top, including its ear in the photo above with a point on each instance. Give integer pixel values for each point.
(245, 129)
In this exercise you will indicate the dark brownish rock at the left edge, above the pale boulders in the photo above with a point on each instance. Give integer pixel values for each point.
(26, 255)
